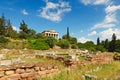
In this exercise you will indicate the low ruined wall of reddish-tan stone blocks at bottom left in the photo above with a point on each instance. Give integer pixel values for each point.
(27, 71)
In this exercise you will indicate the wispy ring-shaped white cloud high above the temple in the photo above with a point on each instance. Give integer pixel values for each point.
(54, 11)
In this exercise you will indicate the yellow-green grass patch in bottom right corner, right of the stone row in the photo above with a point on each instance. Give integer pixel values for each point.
(111, 70)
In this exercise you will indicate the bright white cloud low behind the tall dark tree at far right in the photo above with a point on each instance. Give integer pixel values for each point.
(107, 34)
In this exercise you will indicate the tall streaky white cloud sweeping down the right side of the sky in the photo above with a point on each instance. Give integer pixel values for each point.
(110, 19)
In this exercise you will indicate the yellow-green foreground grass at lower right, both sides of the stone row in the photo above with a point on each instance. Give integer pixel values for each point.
(110, 71)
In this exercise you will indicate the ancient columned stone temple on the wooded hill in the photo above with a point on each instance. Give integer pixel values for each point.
(51, 33)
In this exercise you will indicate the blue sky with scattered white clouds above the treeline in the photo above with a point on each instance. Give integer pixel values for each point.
(86, 19)
